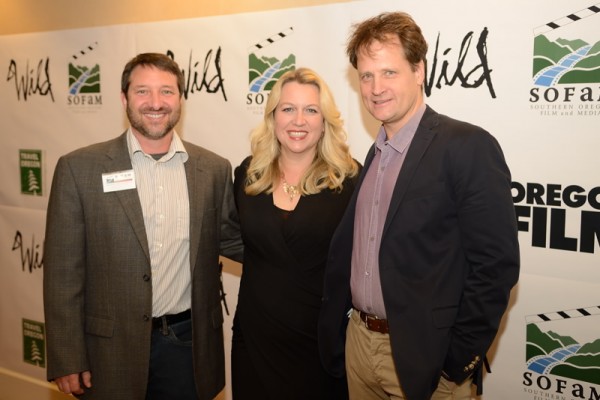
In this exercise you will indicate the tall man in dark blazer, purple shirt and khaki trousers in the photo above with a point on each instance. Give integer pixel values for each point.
(422, 265)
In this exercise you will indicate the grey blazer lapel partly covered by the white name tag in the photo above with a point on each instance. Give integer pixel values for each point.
(120, 160)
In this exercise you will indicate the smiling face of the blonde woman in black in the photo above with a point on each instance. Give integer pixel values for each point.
(298, 119)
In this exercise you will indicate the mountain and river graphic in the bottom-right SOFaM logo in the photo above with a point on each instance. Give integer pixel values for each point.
(555, 354)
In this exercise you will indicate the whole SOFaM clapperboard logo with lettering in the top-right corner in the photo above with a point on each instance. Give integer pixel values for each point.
(566, 65)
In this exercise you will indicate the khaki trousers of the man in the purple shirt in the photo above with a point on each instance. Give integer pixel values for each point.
(371, 371)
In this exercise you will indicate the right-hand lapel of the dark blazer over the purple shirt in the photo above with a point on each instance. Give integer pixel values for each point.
(421, 141)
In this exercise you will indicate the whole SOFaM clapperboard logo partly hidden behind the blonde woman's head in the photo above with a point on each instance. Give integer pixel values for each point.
(264, 70)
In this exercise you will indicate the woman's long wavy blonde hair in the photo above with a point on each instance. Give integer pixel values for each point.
(332, 163)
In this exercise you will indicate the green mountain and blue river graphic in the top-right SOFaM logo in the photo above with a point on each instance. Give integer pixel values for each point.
(565, 61)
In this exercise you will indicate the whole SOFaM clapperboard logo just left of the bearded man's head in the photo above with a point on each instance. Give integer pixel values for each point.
(84, 81)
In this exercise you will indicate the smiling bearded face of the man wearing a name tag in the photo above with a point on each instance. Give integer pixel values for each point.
(153, 102)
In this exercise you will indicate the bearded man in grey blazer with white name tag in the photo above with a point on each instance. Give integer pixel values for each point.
(135, 226)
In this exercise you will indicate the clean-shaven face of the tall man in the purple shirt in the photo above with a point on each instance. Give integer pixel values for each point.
(390, 87)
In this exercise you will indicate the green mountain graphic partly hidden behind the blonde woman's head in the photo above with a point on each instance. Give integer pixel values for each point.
(263, 72)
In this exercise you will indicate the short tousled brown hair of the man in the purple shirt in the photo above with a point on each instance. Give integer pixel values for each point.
(384, 28)
